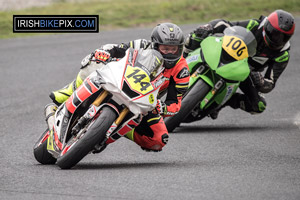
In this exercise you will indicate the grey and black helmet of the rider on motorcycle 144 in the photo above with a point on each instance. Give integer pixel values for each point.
(170, 35)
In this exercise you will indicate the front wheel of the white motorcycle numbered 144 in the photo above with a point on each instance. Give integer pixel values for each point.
(78, 148)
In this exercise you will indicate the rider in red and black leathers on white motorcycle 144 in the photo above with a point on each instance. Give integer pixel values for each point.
(167, 38)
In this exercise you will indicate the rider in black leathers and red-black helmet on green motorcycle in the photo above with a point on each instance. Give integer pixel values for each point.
(272, 34)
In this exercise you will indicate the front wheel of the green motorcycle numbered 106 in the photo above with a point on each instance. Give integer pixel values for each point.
(189, 102)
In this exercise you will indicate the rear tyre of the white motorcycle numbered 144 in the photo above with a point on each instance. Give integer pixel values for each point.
(40, 151)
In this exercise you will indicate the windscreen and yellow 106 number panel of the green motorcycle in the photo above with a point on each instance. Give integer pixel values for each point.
(238, 43)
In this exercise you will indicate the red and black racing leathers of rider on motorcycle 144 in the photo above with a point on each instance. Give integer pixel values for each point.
(151, 133)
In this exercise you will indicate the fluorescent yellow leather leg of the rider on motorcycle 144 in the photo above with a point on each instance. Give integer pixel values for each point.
(60, 96)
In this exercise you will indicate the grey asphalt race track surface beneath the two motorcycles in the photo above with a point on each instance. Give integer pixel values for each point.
(237, 156)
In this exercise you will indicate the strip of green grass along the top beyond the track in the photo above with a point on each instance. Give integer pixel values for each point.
(115, 14)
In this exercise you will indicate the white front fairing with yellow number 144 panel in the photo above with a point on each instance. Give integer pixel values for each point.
(113, 76)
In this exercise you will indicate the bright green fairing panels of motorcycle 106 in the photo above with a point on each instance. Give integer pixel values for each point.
(210, 54)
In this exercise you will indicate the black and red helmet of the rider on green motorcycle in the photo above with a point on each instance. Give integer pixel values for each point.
(278, 29)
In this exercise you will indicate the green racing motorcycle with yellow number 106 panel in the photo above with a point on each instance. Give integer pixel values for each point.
(217, 67)
